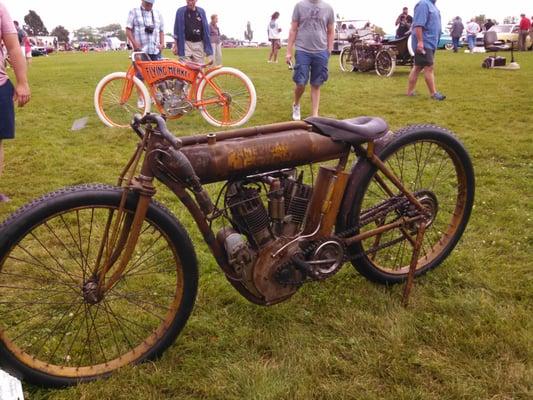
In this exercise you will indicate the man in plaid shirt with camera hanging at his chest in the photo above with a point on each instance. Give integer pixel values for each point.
(145, 30)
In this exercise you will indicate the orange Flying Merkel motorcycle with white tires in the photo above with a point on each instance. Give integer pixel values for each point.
(225, 96)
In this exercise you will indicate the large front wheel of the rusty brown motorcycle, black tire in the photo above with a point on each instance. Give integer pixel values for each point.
(56, 329)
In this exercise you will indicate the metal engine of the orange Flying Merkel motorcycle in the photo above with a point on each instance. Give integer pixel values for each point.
(172, 95)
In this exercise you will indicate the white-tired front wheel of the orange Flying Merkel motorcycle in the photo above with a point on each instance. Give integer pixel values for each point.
(117, 99)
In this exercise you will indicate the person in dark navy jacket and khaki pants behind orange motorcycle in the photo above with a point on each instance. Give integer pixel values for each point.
(191, 32)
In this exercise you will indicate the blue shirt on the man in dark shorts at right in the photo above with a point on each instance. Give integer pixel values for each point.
(427, 16)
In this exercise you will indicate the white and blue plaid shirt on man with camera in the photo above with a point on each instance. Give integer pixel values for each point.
(138, 19)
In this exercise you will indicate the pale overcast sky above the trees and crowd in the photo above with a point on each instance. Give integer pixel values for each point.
(233, 14)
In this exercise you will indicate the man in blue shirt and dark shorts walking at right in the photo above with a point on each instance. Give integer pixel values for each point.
(427, 29)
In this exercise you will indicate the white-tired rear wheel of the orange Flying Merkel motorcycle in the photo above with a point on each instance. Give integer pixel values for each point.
(227, 97)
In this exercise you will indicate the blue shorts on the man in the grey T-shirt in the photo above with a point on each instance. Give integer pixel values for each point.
(314, 64)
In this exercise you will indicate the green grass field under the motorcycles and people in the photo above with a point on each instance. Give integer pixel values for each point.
(468, 333)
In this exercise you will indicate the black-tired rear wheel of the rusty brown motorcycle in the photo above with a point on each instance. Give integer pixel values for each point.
(434, 166)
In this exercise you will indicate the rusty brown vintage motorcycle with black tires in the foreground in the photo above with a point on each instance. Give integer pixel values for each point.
(96, 277)
